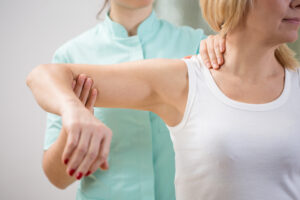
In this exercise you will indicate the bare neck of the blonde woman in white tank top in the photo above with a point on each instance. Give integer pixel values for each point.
(248, 57)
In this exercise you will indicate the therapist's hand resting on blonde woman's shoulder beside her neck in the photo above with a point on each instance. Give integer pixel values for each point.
(212, 50)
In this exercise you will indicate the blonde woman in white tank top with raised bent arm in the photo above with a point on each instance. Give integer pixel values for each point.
(236, 131)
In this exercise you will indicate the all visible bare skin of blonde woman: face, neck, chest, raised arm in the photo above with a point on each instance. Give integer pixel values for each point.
(161, 86)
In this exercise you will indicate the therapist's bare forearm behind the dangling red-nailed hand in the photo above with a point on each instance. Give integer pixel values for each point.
(53, 167)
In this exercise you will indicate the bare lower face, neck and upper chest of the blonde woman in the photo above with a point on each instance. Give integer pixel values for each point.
(245, 76)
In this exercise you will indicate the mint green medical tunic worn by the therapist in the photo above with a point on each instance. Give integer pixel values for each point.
(141, 157)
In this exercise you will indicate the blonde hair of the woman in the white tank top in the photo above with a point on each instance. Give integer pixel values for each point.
(224, 15)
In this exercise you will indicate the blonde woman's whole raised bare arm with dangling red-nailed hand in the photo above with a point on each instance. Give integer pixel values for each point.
(160, 86)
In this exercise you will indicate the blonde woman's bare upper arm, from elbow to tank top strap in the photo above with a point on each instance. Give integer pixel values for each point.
(144, 85)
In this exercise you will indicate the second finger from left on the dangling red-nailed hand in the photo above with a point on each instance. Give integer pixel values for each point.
(79, 153)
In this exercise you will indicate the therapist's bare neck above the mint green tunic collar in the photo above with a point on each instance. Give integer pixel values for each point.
(128, 17)
